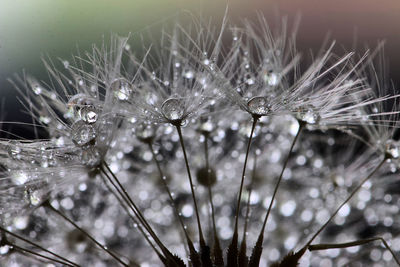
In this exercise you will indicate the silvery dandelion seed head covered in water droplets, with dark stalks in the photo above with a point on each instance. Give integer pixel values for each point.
(205, 146)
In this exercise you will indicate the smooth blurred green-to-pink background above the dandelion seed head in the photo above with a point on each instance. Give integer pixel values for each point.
(31, 29)
